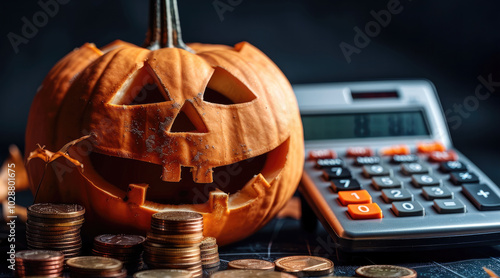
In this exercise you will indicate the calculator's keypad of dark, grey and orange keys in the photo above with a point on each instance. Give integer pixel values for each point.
(414, 185)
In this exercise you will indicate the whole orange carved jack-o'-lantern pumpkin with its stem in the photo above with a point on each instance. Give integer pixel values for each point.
(207, 128)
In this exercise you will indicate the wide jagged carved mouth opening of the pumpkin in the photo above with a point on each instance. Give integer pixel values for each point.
(229, 179)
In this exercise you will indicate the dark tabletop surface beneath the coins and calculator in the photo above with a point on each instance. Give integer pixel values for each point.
(287, 237)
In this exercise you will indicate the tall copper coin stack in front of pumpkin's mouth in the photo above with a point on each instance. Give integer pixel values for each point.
(174, 241)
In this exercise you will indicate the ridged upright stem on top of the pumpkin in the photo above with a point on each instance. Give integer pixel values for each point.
(164, 26)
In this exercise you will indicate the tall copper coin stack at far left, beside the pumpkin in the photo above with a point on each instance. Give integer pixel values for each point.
(55, 227)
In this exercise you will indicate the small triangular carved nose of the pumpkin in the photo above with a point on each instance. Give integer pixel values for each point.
(188, 120)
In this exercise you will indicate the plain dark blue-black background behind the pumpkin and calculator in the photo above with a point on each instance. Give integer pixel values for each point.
(450, 43)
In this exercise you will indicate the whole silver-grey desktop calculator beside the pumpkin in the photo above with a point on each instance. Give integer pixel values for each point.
(381, 173)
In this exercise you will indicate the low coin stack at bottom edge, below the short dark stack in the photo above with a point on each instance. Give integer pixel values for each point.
(95, 266)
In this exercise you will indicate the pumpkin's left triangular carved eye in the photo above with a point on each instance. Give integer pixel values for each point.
(141, 88)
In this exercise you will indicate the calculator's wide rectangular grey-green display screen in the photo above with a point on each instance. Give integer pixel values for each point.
(364, 125)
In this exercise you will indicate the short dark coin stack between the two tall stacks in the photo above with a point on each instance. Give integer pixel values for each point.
(126, 248)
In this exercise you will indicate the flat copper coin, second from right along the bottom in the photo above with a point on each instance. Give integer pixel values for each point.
(305, 265)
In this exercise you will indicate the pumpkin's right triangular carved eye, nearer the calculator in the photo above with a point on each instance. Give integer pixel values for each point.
(224, 88)
